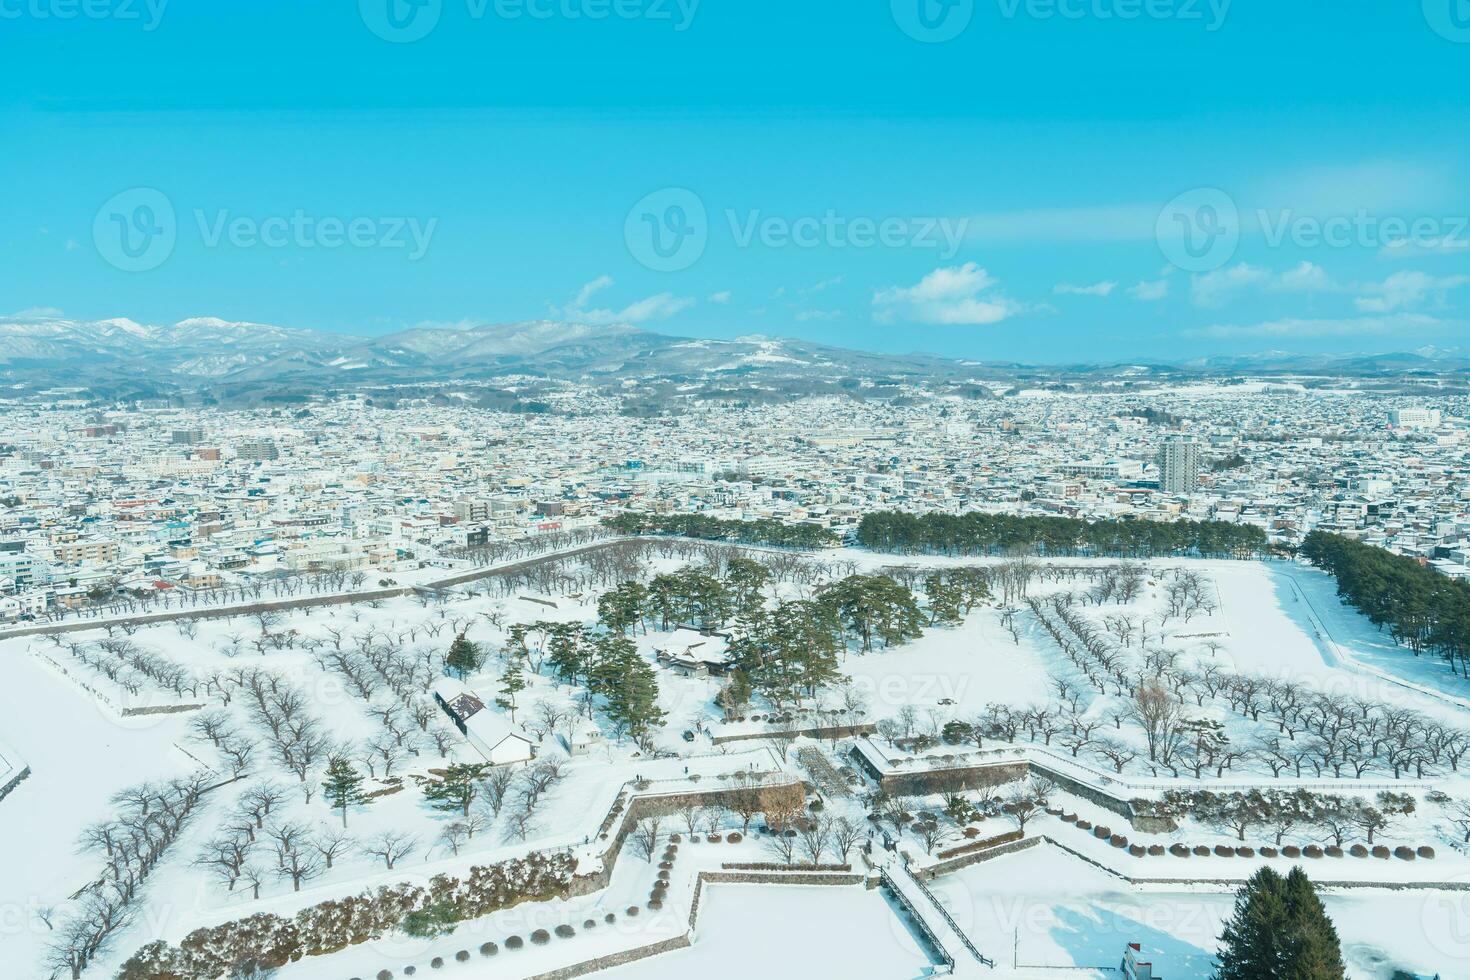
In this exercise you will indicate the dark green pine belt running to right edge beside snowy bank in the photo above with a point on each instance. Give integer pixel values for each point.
(1419, 608)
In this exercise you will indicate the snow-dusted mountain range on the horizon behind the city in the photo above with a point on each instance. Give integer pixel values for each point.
(201, 353)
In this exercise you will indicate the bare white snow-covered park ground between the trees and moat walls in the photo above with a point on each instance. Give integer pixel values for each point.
(1275, 619)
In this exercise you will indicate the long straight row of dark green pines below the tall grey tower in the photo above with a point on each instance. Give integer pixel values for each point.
(981, 534)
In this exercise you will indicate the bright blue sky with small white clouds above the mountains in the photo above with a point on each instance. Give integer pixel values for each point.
(1037, 180)
